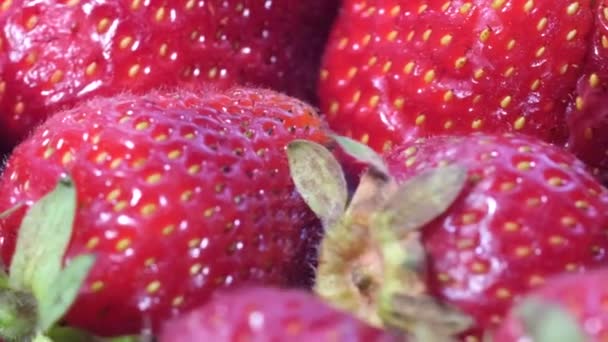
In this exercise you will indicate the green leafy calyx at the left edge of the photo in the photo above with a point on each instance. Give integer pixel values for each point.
(38, 290)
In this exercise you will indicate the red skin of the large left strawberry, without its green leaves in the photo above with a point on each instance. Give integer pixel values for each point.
(236, 219)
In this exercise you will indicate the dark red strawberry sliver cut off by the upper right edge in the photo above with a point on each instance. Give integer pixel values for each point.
(588, 122)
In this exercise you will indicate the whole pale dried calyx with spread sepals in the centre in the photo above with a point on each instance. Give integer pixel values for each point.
(371, 260)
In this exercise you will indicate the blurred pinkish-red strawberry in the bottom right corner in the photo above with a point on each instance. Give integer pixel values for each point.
(583, 297)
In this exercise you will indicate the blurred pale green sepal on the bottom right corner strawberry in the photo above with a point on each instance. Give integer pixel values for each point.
(549, 322)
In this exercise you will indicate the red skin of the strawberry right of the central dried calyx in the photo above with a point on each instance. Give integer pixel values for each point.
(511, 228)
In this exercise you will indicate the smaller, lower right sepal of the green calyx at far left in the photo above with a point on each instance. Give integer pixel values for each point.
(57, 299)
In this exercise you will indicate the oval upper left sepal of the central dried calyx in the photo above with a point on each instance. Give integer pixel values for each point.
(319, 179)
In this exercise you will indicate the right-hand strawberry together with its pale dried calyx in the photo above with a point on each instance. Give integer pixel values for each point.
(528, 210)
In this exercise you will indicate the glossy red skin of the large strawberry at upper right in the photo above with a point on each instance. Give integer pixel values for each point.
(426, 109)
